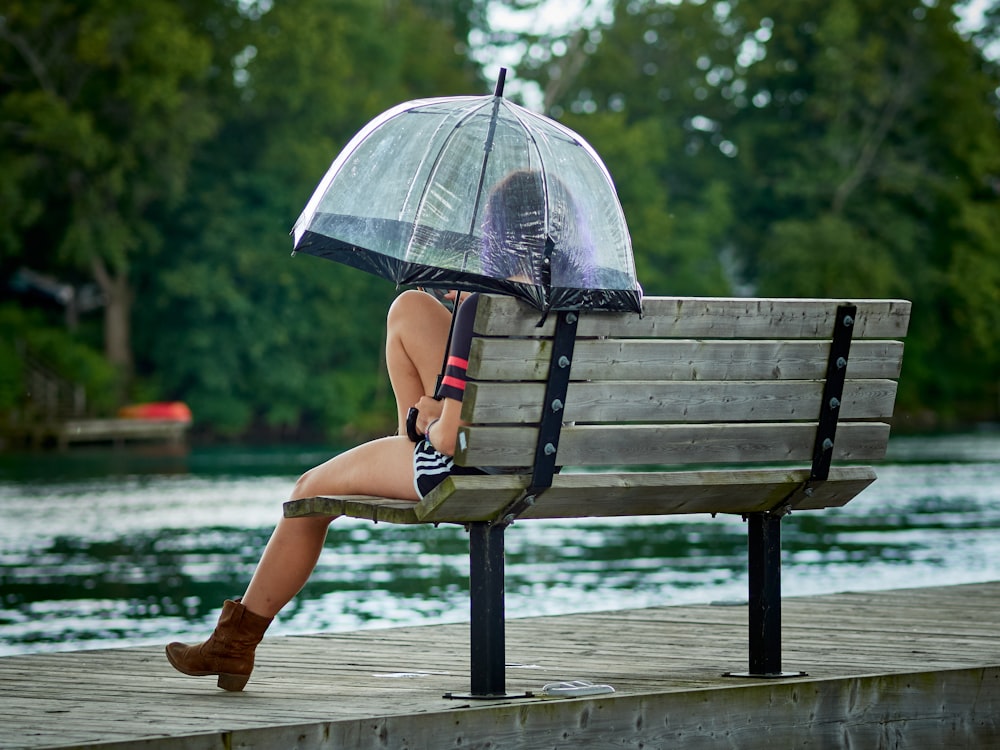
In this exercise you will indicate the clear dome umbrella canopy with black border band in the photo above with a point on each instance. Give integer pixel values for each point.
(479, 194)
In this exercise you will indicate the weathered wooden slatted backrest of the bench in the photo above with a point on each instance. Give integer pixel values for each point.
(691, 381)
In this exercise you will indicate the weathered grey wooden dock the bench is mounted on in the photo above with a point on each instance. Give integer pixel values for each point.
(913, 668)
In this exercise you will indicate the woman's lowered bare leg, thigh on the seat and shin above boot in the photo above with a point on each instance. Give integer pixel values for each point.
(381, 467)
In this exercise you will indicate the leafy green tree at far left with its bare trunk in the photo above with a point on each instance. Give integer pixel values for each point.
(101, 107)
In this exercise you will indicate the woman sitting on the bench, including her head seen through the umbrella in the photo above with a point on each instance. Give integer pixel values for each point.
(515, 235)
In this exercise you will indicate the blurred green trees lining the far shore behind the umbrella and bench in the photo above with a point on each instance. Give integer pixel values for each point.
(164, 148)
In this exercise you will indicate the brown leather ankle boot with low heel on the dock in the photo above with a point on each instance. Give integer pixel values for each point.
(228, 652)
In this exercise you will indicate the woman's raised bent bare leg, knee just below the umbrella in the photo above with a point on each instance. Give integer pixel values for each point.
(416, 335)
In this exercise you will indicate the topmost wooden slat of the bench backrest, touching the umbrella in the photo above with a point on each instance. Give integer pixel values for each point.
(706, 317)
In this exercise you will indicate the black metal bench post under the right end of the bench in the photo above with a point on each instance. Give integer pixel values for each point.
(764, 552)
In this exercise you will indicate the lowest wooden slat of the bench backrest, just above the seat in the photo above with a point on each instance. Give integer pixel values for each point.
(670, 445)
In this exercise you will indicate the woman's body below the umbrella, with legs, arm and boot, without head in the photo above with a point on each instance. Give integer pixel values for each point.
(417, 332)
